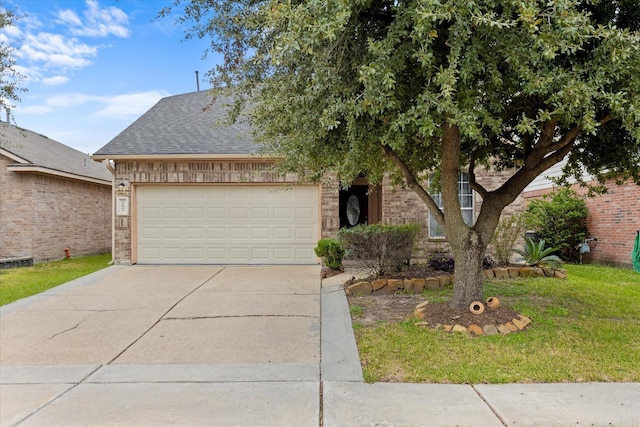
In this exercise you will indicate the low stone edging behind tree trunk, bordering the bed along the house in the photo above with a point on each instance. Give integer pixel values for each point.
(417, 285)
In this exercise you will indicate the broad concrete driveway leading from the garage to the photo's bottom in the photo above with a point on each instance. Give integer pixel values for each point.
(148, 345)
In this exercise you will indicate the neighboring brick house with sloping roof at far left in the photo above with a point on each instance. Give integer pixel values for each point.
(52, 197)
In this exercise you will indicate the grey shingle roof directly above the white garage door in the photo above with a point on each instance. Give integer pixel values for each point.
(183, 124)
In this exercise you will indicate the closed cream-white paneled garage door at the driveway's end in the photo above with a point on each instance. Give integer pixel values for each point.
(226, 224)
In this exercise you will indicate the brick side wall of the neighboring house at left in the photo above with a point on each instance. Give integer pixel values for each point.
(41, 215)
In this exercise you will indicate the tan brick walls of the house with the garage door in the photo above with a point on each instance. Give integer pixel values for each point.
(399, 206)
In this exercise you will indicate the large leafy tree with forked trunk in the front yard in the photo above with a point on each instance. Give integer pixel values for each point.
(416, 87)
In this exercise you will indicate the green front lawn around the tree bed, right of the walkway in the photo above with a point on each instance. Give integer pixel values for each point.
(585, 328)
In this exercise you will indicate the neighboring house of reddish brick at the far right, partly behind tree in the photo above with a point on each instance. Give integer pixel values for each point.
(613, 218)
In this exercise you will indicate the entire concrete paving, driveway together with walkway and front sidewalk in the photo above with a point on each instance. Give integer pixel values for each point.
(238, 346)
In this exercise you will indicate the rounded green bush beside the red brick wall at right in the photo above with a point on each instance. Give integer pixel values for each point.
(560, 219)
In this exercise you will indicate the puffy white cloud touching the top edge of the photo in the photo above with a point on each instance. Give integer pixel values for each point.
(98, 22)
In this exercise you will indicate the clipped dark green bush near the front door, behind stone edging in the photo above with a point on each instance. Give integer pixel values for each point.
(381, 248)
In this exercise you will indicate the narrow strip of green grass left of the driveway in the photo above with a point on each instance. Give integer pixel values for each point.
(21, 282)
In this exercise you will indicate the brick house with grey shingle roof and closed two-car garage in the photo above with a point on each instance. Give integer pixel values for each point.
(191, 191)
